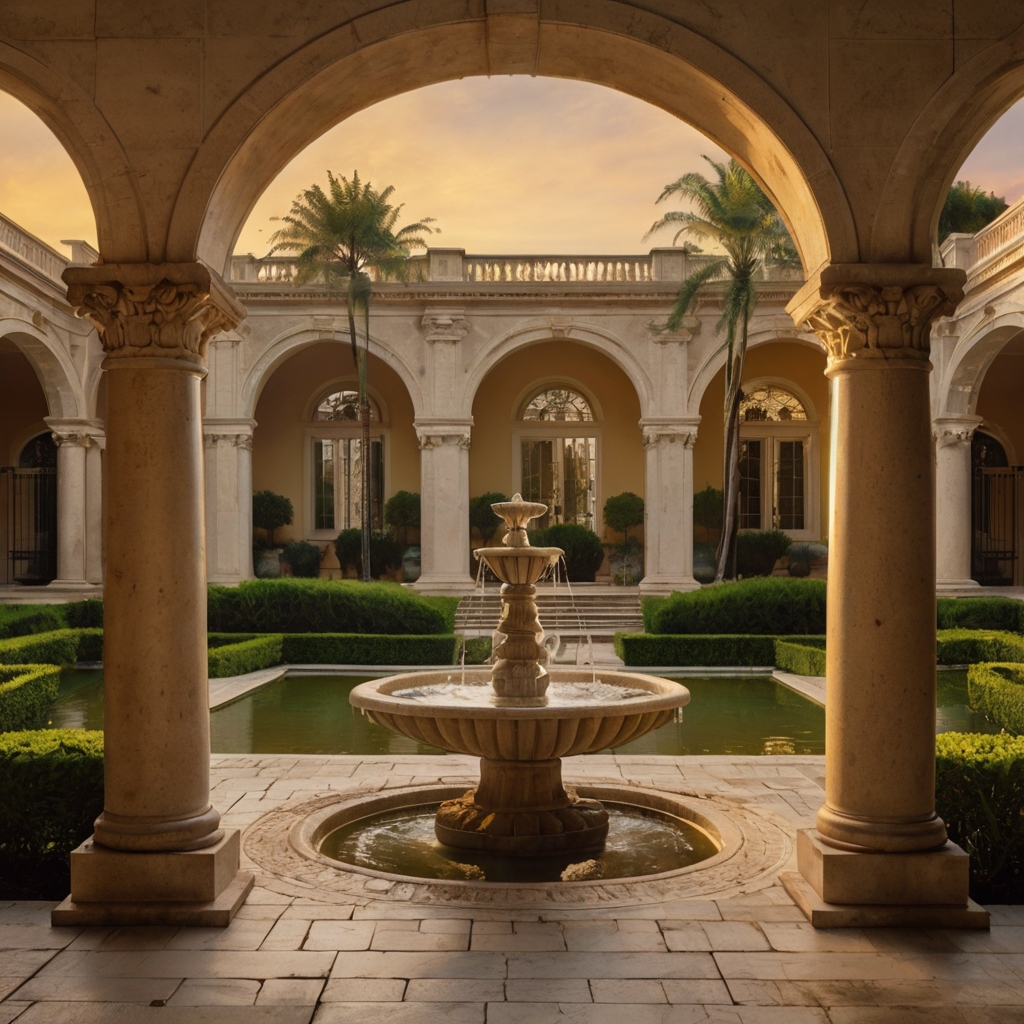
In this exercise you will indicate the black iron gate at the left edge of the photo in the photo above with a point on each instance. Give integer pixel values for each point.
(30, 498)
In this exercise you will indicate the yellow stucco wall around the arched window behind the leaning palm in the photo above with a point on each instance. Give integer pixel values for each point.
(794, 362)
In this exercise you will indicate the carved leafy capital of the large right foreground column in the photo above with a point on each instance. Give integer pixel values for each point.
(867, 313)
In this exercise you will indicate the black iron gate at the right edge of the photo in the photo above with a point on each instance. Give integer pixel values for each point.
(995, 527)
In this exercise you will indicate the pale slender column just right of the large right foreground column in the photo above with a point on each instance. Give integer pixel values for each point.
(953, 502)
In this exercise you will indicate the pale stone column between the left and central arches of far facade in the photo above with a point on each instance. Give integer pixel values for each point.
(445, 520)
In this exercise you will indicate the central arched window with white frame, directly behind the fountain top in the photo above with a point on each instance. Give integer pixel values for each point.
(559, 456)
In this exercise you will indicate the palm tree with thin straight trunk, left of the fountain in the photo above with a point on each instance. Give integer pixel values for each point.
(340, 236)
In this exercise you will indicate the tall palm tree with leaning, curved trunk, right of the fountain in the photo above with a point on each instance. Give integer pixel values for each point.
(735, 212)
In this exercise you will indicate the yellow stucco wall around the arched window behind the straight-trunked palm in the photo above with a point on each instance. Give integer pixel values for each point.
(284, 413)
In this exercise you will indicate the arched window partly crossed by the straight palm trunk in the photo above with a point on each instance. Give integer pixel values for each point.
(338, 463)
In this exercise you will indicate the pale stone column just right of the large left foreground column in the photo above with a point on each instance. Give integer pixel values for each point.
(229, 499)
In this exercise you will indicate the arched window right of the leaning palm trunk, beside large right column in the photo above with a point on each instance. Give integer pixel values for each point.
(778, 471)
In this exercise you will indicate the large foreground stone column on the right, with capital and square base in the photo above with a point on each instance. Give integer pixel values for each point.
(879, 840)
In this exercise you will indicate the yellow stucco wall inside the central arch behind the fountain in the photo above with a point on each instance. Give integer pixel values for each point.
(621, 460)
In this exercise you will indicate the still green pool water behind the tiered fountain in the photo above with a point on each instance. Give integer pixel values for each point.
(312, 715)
